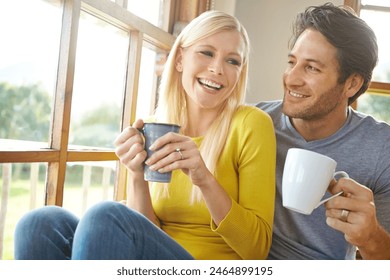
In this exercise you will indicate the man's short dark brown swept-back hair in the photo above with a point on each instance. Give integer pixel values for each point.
(355, 41)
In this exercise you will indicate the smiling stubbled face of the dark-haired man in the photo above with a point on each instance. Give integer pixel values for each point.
(310, 80)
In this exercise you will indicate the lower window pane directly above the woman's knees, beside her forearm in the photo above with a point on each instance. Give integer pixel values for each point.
(88, 183)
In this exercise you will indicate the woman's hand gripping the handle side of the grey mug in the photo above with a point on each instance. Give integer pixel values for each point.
(130, 148)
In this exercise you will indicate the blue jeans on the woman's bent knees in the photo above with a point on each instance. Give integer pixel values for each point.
(107, 231)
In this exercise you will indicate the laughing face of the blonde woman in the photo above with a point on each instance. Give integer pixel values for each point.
(211, 69)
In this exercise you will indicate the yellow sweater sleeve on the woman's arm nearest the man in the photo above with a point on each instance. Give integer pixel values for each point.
(247, 228)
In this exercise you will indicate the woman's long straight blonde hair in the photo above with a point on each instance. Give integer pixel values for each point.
(172, 97)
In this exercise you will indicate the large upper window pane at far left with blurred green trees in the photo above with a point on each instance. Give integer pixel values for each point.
(30, 36)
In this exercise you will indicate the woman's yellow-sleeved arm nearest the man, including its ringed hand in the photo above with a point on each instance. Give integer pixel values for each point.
(245, 221)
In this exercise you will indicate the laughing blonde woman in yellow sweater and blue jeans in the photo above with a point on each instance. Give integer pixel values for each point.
(220, 202)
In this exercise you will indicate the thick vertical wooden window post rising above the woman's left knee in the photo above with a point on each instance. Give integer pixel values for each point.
(59, 134)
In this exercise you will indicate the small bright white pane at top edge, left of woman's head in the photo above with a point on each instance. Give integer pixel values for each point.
(146, 9)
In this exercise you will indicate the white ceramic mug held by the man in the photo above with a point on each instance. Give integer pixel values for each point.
(306, 178)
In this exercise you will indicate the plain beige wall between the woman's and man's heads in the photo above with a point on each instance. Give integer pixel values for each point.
(268, 23)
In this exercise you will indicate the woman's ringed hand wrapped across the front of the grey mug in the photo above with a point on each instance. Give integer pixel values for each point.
(167, 158)
